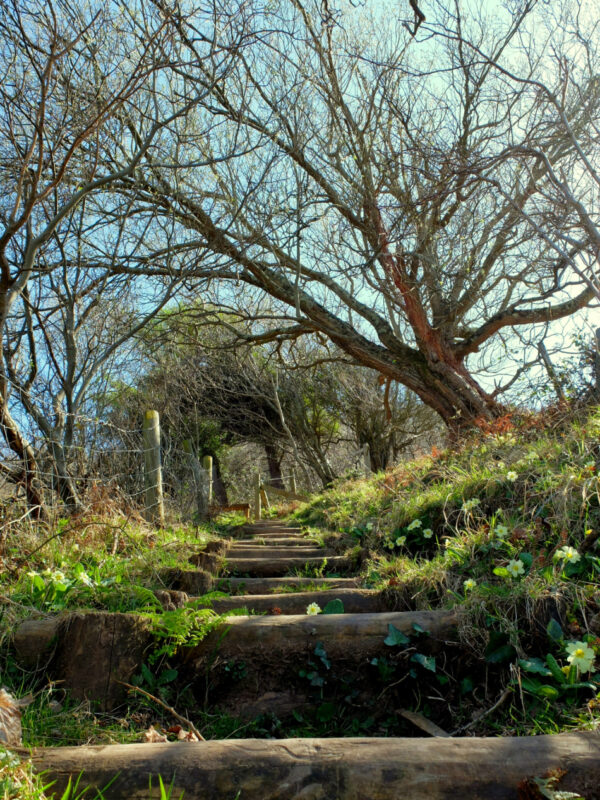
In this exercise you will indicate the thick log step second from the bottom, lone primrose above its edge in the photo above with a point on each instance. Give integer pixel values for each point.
(350, 637)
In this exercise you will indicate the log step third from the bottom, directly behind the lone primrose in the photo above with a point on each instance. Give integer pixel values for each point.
(356, 601)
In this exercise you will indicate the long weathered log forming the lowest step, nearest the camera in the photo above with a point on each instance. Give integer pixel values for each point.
(330, 769)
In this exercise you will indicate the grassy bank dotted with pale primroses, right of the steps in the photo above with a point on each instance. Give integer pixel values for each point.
(509, 500)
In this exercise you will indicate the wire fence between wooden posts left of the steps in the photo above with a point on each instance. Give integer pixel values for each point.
(92, 466)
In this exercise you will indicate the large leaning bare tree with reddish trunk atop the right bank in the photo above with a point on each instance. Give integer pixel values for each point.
(356, 196)
